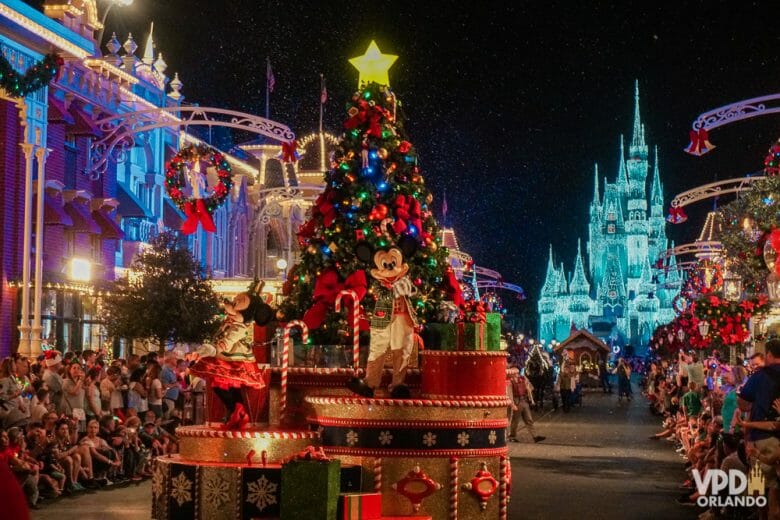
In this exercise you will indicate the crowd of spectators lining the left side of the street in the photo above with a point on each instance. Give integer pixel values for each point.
(80, 422)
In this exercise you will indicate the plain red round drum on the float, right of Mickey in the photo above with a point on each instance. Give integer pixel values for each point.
(467, 373)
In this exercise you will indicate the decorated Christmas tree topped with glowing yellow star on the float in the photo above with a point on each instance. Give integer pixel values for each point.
(375, 198)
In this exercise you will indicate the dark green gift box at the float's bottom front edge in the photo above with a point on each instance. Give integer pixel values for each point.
(310, 489)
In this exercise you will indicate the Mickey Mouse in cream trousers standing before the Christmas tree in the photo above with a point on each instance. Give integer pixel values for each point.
(392, 322)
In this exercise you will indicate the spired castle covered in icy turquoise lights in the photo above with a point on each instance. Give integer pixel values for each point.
(619, 295)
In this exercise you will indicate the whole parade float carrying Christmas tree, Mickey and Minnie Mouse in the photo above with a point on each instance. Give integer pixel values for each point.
(385, 395)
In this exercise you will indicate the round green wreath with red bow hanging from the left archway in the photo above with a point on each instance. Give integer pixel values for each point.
(197, 210)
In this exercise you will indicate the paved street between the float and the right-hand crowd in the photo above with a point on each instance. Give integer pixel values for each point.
(597, 463)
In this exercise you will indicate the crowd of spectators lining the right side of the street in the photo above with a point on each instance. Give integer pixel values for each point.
(721, 416)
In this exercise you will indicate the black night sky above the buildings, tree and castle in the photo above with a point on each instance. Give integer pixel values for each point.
(509, 104)
